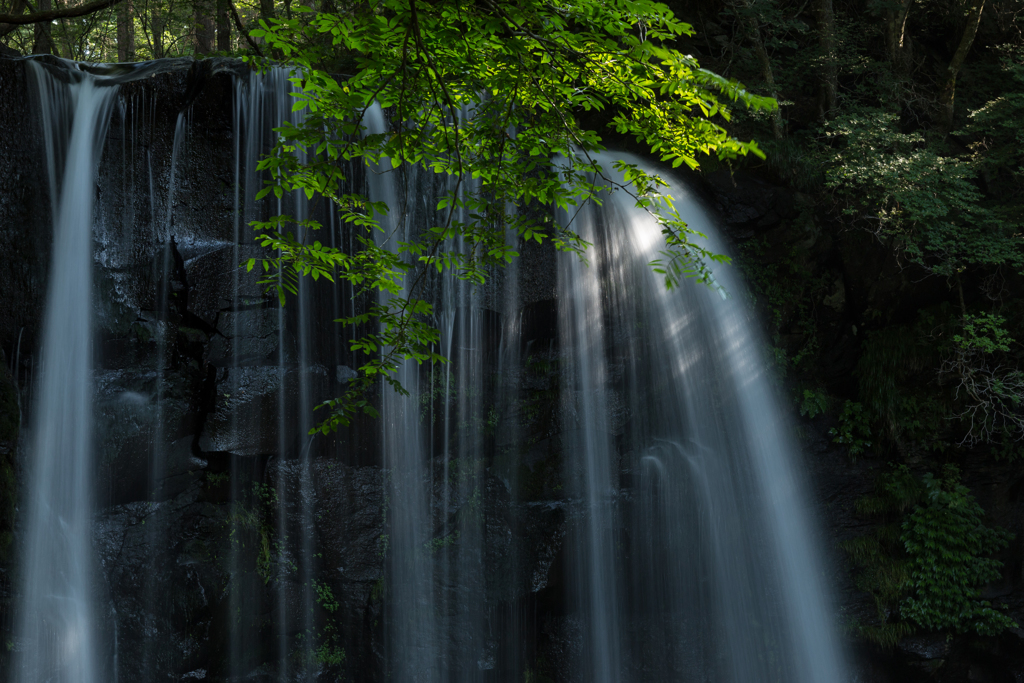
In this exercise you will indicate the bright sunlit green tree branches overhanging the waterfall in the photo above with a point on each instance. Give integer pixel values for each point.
(454, 78)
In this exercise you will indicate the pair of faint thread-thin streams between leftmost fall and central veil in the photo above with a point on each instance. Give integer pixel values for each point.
(264, 102)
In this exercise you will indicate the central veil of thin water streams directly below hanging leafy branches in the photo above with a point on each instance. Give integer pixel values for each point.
(434, 452)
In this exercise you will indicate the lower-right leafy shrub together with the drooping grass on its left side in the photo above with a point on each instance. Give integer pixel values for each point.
(927, 559)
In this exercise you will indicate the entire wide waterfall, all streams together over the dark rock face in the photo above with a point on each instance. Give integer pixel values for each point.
(602, 474)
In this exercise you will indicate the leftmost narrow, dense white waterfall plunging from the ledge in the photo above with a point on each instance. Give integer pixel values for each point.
(58, 626)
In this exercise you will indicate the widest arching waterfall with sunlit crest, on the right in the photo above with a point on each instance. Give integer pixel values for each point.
(694, 560)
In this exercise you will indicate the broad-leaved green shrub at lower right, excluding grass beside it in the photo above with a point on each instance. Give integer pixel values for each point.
(949, 547)
